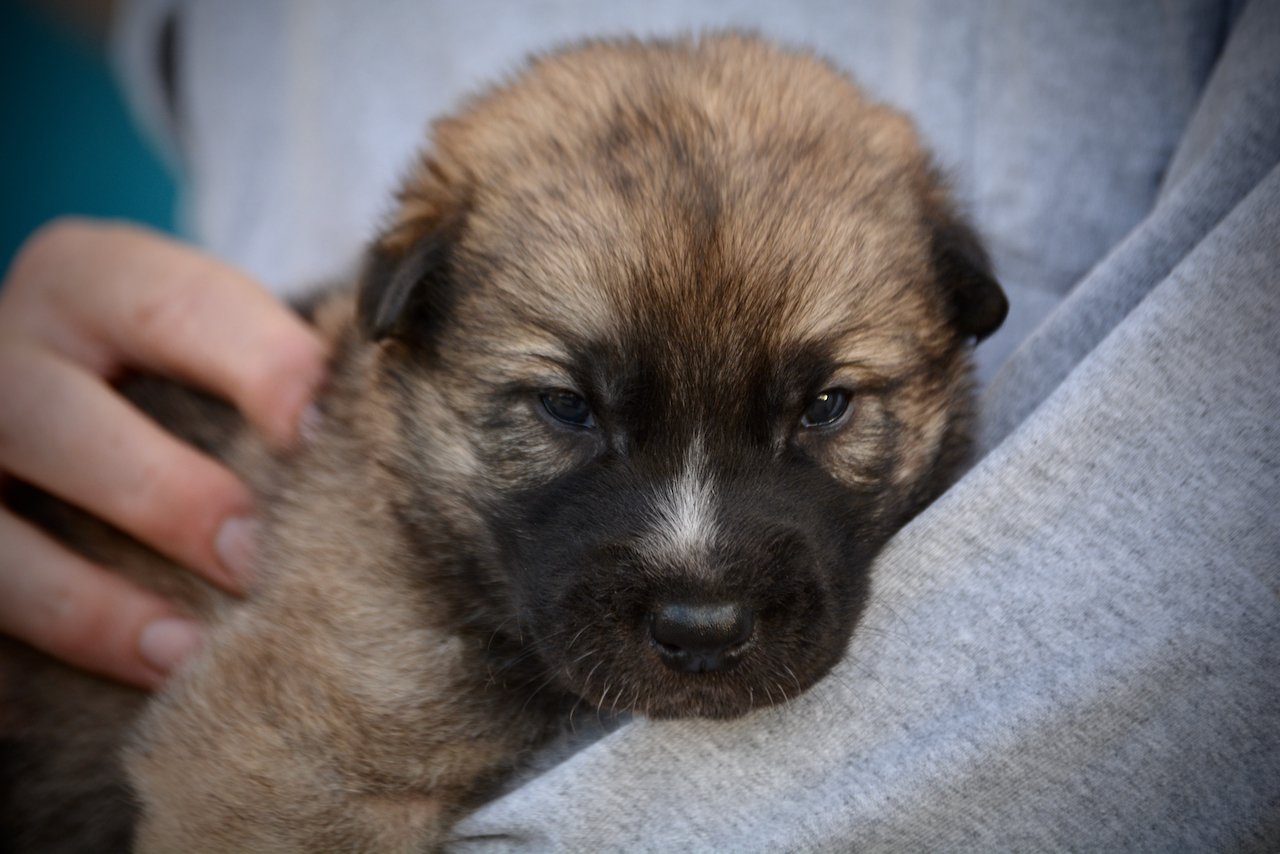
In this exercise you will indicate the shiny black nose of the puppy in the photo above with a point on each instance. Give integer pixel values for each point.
(701, 638)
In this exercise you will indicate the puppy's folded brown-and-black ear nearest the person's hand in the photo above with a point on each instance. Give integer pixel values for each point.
(408, 285)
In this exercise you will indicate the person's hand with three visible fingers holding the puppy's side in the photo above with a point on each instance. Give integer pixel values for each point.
(83, 303)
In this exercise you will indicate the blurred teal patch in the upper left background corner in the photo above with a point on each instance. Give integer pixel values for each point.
(67, 144)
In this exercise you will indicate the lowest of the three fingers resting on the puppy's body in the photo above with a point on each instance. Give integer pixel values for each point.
(81, 614)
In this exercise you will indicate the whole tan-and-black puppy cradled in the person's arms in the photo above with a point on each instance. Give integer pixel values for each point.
(662, 344)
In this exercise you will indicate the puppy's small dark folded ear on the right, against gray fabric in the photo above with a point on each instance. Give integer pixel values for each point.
(961, 263)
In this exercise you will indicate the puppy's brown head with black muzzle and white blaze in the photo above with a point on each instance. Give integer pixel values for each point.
(688, 335)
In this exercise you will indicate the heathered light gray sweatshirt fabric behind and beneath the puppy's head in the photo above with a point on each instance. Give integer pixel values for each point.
(1078, 647)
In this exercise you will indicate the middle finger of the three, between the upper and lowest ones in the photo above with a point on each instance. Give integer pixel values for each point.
(70, 433)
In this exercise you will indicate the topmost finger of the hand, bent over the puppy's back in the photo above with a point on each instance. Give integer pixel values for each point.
(166, 308)
